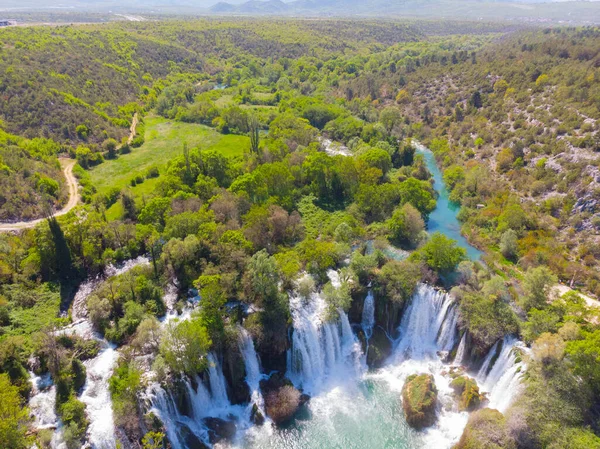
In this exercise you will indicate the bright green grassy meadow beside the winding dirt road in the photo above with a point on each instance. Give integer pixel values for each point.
(164, 141)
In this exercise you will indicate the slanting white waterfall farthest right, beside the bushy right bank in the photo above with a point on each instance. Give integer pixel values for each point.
(503, 381)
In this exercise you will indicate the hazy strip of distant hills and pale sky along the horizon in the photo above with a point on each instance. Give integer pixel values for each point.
(529, 11)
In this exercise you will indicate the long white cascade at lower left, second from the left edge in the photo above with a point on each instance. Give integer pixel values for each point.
(96, 397)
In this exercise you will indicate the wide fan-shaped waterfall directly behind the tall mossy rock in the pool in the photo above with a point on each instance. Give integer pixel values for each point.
(427, 326)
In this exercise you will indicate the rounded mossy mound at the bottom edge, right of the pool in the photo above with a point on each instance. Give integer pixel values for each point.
(486, 429)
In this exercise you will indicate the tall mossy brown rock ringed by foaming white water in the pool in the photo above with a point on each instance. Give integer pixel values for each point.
(419, 400)
